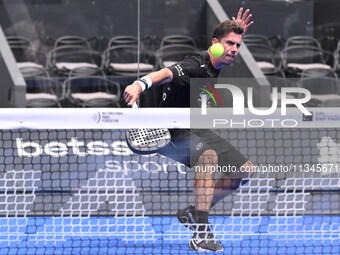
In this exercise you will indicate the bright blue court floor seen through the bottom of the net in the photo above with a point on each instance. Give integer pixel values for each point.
(164, 235)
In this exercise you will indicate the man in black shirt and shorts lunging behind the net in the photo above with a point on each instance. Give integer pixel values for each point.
(200, 148)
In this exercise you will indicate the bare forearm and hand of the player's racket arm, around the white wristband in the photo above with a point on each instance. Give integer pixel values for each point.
(133, 91)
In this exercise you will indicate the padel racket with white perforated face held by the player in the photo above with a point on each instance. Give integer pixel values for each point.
(147, 140)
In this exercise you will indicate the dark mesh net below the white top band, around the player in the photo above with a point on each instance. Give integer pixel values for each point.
(85, 192)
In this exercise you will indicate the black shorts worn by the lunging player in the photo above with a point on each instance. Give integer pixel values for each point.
(187, 146)
